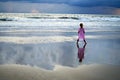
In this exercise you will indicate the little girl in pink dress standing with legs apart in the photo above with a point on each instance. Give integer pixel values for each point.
(81, 33)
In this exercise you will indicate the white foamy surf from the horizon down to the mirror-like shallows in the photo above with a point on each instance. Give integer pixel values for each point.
(39, 28)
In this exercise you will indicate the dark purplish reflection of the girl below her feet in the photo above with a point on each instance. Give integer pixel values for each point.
(81, 51)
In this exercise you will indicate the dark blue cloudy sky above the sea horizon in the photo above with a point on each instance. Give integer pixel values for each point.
(61, 6)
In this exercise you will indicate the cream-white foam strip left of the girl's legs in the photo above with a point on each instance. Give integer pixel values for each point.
(28, 40)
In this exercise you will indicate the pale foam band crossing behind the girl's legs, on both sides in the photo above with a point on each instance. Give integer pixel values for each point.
(52, 39)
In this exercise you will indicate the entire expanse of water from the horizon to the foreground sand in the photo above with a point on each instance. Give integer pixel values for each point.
(46, 40)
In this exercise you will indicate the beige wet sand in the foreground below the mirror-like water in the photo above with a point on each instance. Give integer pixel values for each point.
(84, 72)
